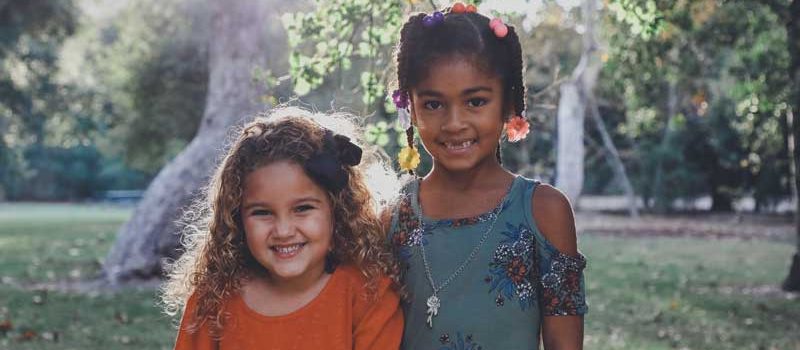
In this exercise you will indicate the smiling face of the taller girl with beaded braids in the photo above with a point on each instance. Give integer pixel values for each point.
(458, 112)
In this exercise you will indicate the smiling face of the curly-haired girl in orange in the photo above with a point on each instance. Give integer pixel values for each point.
(288, 222)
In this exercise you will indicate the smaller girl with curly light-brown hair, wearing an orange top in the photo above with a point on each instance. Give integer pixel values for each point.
(290, 255)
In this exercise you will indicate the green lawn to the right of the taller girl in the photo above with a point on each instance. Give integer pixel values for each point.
(688, 293)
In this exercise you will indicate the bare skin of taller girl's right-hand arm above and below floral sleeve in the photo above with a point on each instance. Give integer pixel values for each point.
(554, 218)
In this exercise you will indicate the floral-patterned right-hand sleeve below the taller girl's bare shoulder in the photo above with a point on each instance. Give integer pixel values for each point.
(561, 285)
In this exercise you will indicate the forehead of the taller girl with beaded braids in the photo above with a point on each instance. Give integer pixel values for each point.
(457, 73)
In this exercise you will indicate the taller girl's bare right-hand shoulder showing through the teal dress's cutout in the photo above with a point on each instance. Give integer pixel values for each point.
(554, 218)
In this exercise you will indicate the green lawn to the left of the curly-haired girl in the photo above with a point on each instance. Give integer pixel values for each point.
(45, 243)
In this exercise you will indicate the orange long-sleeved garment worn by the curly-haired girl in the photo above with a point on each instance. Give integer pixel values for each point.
(340, 317)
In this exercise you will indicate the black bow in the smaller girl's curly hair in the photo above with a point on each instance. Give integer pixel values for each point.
(326, 167)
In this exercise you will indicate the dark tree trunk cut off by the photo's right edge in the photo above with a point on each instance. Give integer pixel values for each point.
(792, 282)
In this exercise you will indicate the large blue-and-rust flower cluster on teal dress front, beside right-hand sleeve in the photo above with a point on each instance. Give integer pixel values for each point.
(511, 267)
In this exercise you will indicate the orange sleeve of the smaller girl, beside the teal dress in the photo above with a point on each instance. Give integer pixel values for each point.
(378, 322)
